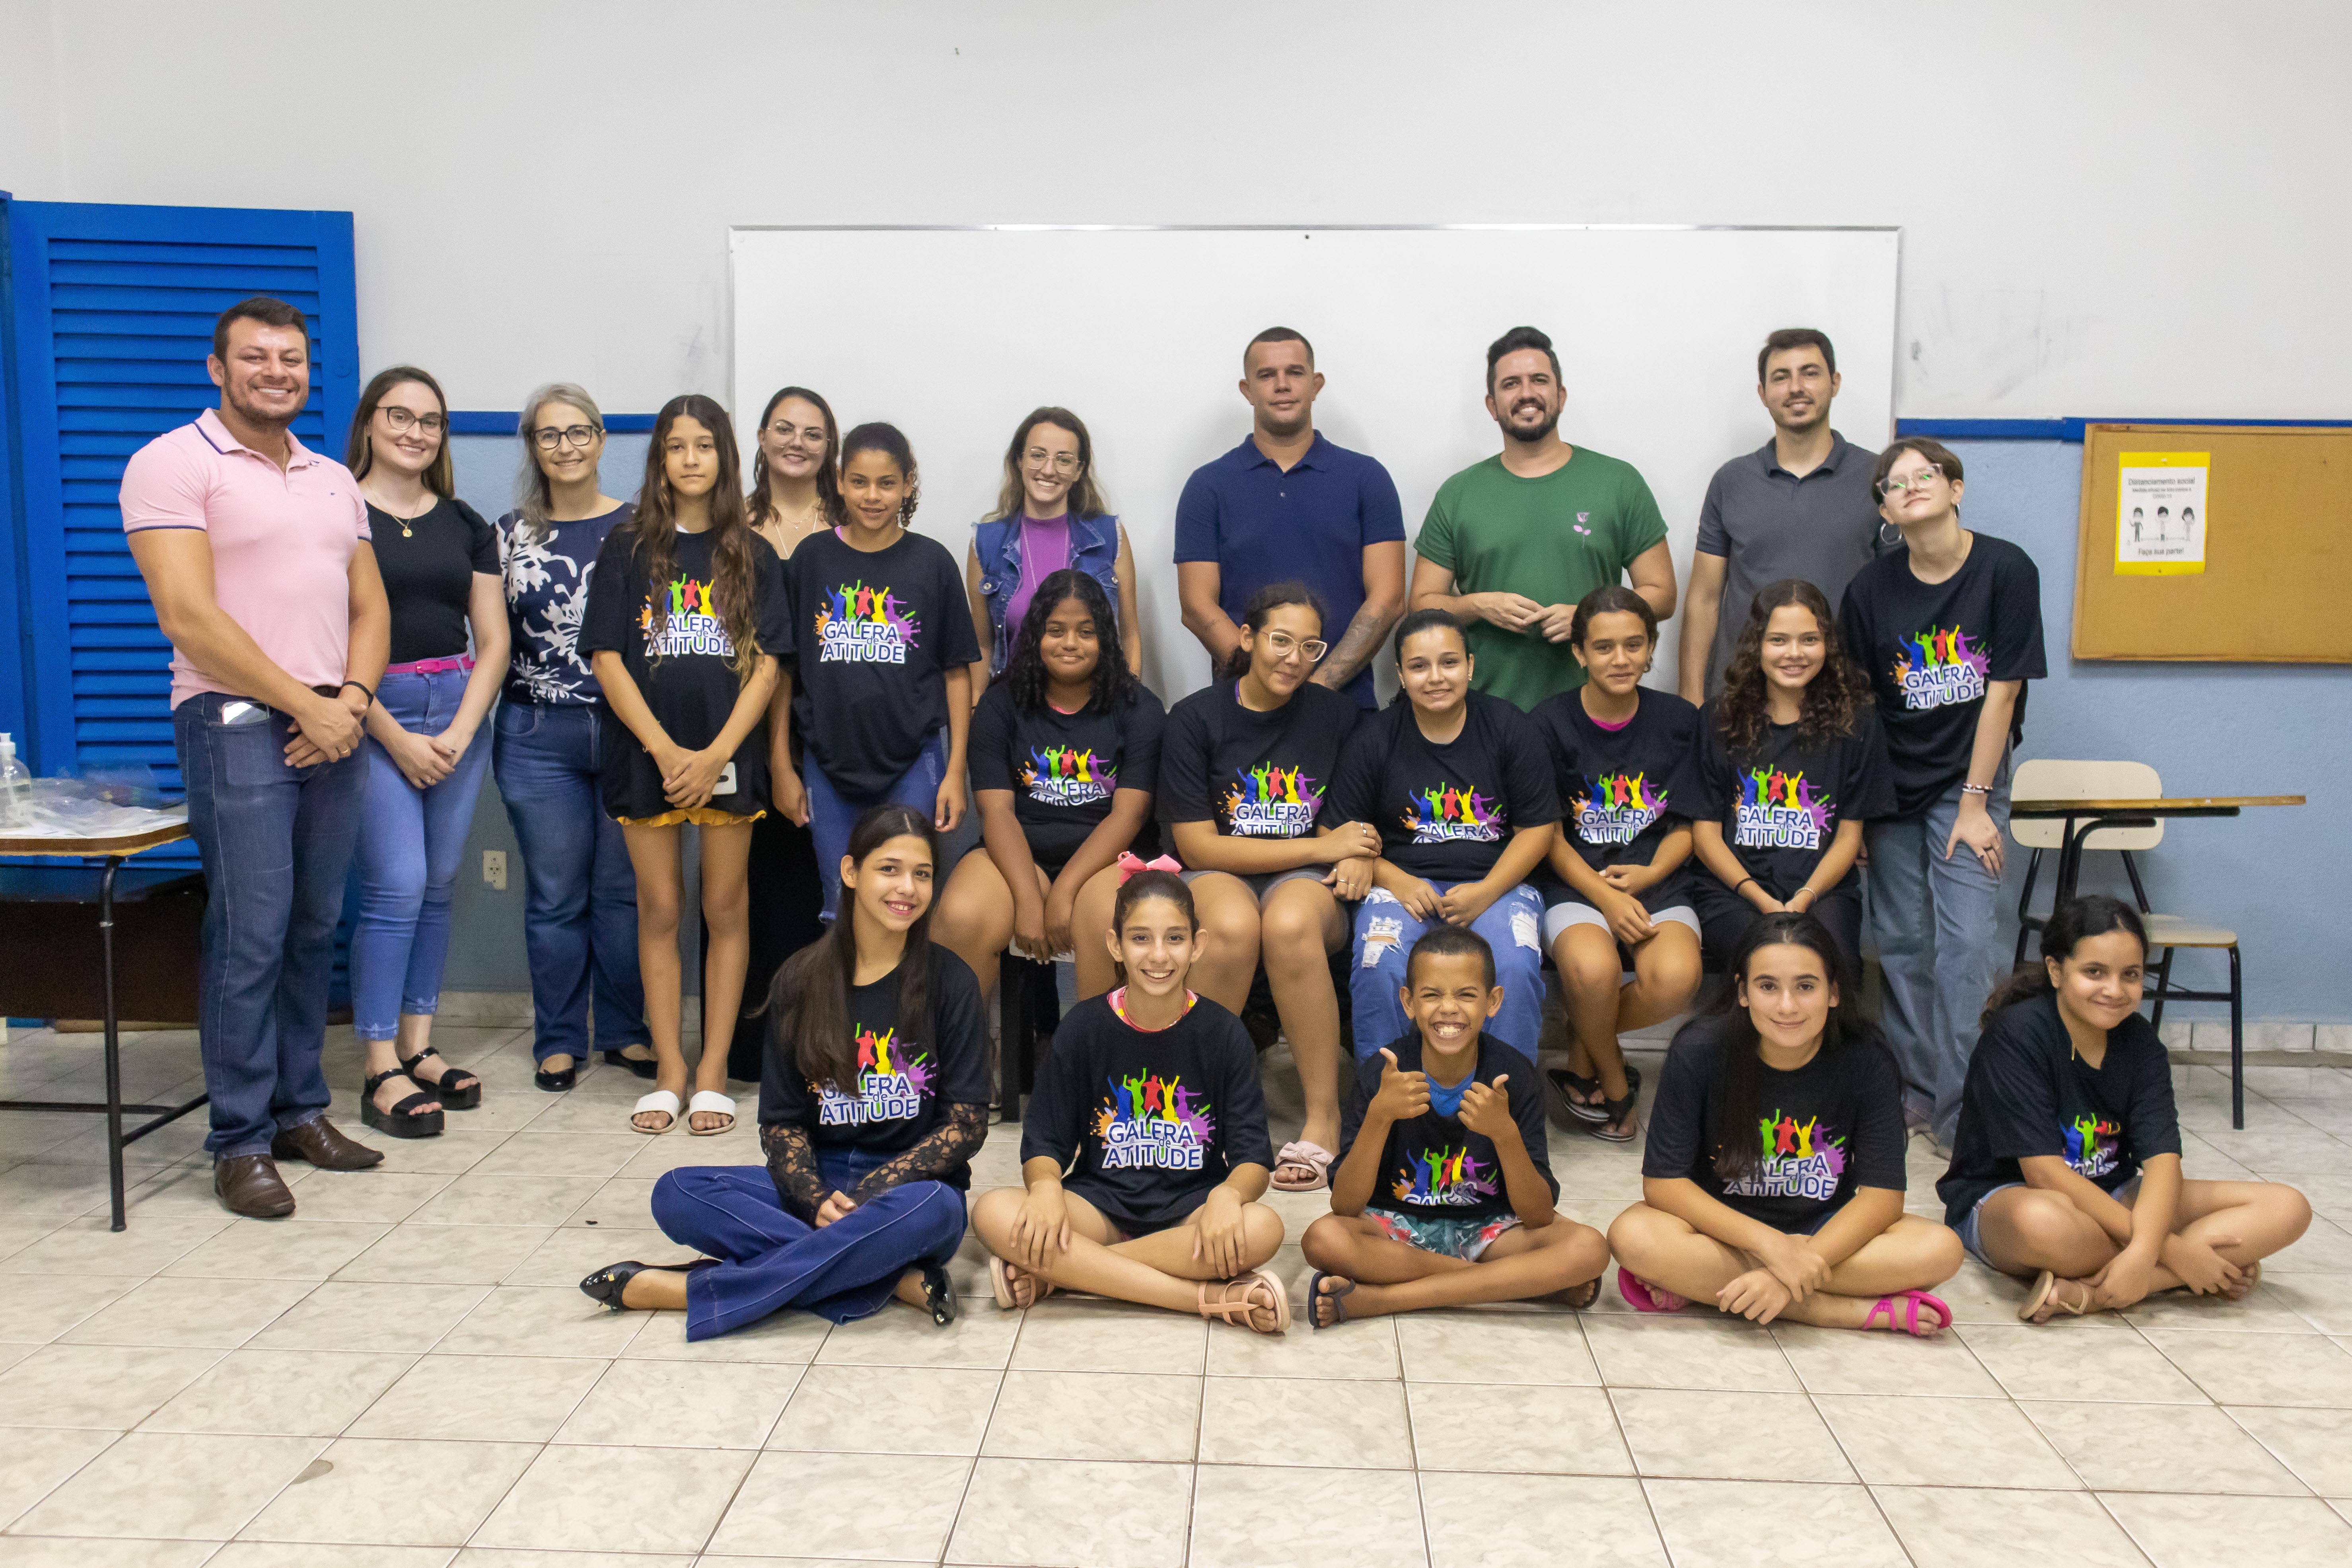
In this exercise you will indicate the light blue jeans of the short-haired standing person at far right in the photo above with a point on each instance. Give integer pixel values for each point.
(1937, 927)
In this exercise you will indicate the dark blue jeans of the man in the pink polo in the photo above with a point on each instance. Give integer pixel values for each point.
(276, 847)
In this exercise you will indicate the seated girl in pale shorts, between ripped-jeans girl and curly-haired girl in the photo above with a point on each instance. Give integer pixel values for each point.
(1617, 897)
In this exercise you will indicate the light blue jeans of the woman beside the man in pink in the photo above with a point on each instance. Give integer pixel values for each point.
(410, 850)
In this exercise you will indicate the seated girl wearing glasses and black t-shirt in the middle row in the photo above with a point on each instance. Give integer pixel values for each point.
(1243, 777)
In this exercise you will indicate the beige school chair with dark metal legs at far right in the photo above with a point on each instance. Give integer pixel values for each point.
(2059, 779)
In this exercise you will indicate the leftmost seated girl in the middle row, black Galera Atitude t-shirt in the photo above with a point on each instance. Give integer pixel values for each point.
(1064, 765)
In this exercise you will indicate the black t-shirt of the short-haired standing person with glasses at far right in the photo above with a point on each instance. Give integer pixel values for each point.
(1930, 652)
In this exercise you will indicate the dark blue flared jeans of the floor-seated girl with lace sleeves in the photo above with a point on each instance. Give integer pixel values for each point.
(773, 1261)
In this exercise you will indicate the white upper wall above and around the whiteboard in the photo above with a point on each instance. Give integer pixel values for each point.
(2106, 208)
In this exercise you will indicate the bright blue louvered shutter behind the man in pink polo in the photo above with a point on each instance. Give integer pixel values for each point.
(112, 311)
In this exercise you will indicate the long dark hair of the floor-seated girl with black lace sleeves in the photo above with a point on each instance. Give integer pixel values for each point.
(808, 1005)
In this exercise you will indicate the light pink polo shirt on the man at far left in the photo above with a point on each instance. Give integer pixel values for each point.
(281, 542)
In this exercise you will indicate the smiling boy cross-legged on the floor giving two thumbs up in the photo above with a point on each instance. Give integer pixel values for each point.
(1445, 1191)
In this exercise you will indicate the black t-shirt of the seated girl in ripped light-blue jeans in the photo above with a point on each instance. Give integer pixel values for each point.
(1445, 812)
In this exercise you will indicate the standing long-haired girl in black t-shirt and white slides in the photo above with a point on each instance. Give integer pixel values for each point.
(686, 619)
